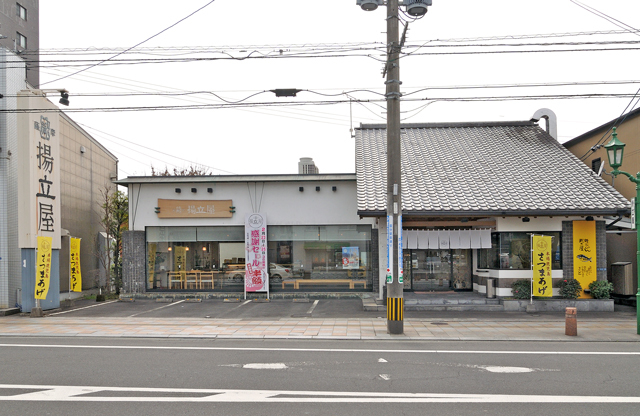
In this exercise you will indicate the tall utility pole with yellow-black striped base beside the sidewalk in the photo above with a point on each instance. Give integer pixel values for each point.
(395, 285)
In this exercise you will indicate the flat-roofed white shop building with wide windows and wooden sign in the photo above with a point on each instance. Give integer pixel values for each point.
(187, 234)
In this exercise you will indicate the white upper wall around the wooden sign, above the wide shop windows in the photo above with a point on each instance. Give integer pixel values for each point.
(281, 202)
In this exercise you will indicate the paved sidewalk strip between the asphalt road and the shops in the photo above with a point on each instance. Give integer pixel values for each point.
(472, 329)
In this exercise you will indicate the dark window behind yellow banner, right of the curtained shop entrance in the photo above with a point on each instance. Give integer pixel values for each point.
(511, 251)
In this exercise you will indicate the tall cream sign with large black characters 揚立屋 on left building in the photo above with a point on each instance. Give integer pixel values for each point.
(39, 170)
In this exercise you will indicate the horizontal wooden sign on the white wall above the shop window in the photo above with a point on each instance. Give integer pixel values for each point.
(181, 208)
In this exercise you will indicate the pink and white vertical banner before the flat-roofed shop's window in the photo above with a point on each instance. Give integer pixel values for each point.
(256, 264)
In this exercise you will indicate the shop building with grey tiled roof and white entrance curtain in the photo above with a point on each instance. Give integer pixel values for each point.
(473, 194)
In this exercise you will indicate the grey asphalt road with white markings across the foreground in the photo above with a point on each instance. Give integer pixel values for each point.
(87, 376)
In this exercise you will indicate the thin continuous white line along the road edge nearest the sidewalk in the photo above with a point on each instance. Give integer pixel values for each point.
(354, 350)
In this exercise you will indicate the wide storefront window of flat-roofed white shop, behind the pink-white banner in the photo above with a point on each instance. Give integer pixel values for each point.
(213, 258)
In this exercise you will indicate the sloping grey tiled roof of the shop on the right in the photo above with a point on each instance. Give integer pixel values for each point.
(481, 168)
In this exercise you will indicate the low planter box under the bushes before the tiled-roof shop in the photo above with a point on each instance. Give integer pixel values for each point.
(557, 305)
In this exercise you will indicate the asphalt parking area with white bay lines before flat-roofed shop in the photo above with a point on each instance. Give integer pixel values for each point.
(218, 309)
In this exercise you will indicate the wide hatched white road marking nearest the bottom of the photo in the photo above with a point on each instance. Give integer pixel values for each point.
(49, 393)
